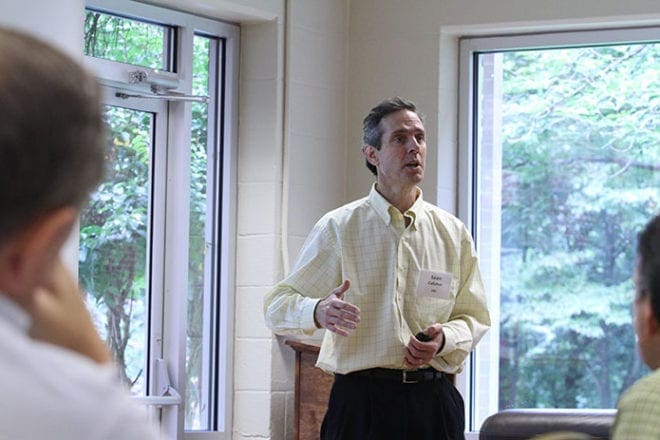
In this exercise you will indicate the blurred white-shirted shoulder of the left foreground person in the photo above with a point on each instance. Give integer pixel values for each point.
(37, 377)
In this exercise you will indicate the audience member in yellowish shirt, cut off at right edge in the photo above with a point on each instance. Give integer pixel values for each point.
(638, 415)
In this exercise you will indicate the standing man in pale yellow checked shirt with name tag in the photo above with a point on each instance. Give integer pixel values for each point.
(395, 281)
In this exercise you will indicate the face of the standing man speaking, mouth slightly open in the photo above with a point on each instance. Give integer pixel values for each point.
(402, 155)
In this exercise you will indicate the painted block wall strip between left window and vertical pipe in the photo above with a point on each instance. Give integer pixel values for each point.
(257, 399)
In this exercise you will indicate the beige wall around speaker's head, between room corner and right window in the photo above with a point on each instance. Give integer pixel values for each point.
(393, 51)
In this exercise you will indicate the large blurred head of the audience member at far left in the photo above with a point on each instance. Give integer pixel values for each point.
(51, 155)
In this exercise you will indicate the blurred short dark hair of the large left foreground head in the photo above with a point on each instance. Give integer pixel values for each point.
(51, 142)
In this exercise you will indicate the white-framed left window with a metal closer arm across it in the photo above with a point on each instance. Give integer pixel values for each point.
(156, 241)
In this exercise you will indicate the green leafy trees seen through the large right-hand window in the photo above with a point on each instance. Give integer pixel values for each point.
(581, 176)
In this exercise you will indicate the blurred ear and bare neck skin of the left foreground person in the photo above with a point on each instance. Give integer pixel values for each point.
(28, 258)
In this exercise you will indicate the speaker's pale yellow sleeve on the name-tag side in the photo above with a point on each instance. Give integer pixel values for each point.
(470, 318)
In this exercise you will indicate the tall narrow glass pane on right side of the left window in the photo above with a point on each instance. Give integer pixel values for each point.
(201, 249)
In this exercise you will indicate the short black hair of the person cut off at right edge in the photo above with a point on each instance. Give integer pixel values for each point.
(648, 264)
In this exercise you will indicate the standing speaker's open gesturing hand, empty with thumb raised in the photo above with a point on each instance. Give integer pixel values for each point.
(335, 314)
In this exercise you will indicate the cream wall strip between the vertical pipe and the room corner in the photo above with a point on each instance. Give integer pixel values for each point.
(316, 122)
